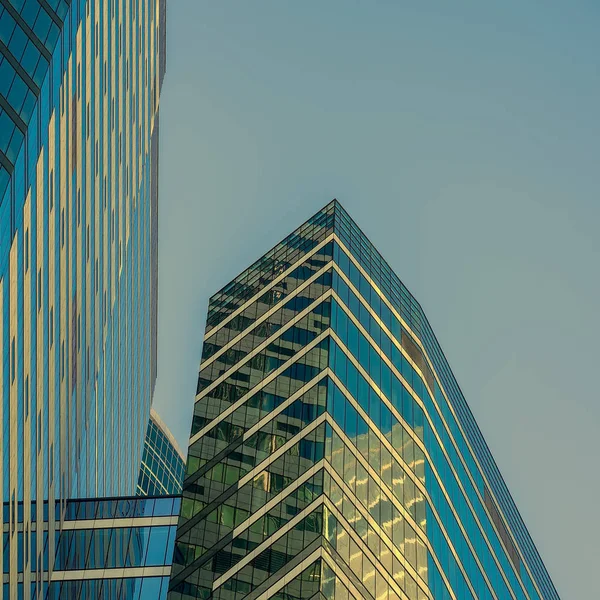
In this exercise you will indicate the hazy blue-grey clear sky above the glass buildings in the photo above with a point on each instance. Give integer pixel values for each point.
(464, 139)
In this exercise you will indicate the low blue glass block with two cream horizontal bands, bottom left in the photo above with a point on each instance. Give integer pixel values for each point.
(111, 548)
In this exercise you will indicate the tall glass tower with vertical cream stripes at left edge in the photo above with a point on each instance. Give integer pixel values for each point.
(79, 97)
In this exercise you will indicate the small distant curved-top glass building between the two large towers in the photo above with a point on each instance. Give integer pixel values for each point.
(163, 462)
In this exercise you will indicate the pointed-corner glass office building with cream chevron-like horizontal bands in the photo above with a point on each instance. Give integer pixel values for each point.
(332, 453)
